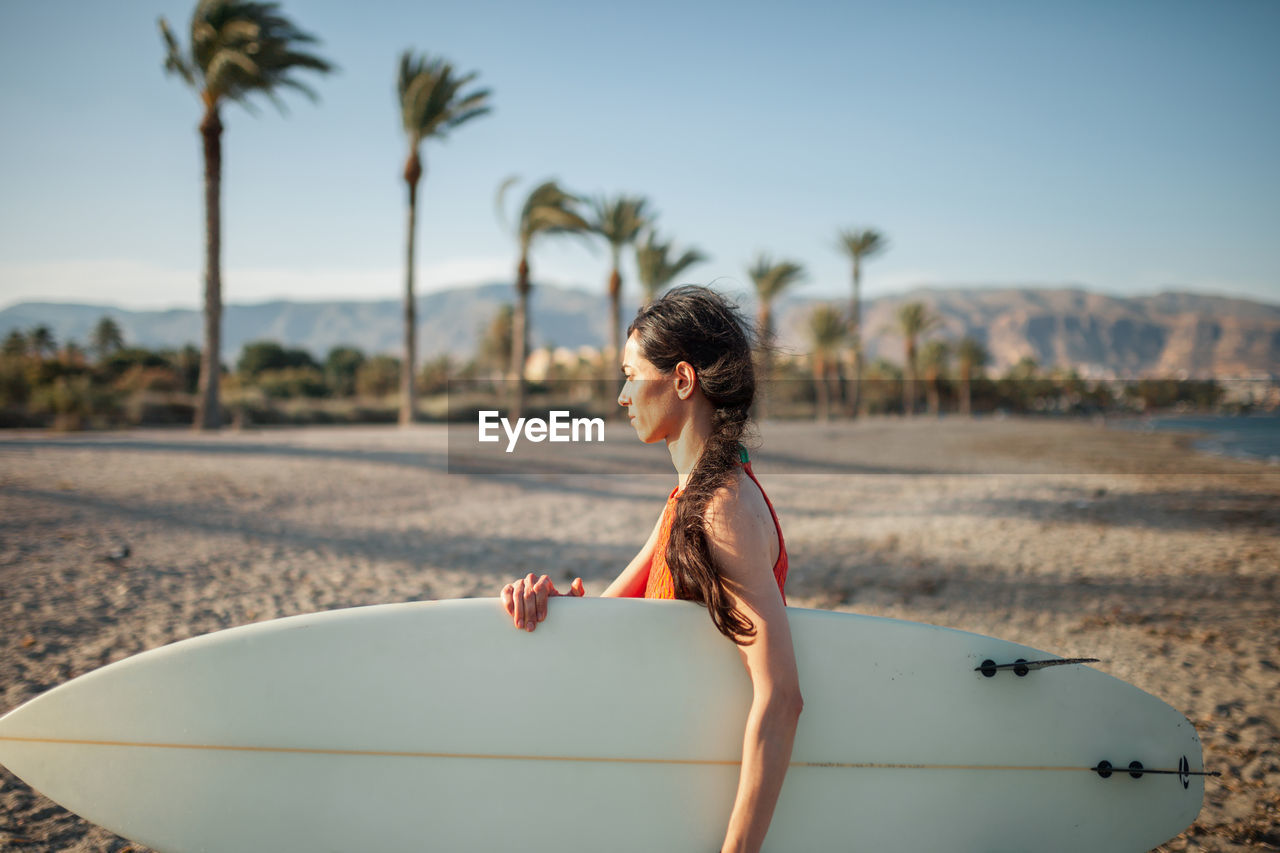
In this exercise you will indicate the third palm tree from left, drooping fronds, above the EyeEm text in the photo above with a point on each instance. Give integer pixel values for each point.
(547, 211)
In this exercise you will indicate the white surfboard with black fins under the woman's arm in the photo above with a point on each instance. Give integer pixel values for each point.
(618, 726)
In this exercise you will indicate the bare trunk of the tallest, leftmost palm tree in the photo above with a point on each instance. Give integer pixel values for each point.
(208, 409)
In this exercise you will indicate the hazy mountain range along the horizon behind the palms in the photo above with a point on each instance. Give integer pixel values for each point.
(1168, 335)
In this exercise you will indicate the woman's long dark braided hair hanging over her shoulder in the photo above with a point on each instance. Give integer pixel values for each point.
(700, 326)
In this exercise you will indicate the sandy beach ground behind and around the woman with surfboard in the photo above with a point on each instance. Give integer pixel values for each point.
(1071, 537)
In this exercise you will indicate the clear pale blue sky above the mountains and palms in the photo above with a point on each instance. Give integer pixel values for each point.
(1123, 147)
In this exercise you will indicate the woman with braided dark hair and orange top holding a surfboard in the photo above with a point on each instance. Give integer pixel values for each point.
(691, 384)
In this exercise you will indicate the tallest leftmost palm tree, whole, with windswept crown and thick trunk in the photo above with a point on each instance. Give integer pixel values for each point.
(237, 49)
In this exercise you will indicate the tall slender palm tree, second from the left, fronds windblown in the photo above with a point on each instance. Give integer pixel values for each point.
(432, 104)
